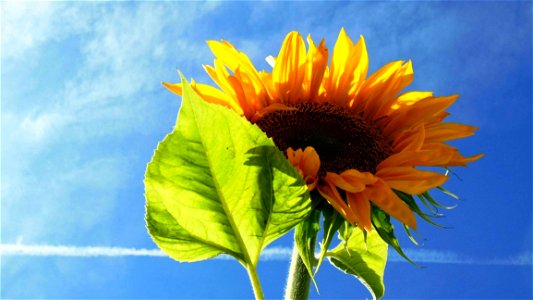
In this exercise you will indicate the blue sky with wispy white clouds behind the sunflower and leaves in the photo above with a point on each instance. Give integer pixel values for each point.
(82, 109)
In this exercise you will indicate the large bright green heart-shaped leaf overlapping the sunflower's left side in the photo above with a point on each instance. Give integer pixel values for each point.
(218, 184)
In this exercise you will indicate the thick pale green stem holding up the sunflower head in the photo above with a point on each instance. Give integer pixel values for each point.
(298, 280)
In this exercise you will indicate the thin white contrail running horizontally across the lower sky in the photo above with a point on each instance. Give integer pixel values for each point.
(269, 254)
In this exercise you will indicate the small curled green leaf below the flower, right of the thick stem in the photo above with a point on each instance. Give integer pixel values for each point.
(365, 261)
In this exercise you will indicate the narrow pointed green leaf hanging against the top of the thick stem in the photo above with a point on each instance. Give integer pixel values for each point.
(305, 239)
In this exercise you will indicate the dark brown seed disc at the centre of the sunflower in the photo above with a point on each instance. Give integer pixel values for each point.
(342, 139)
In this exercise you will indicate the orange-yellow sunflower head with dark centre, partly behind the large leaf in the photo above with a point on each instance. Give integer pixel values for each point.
(356, 139)
